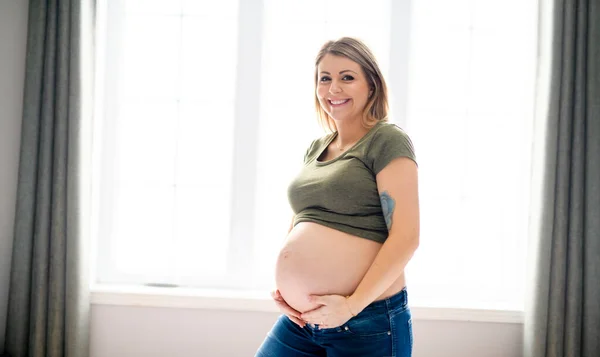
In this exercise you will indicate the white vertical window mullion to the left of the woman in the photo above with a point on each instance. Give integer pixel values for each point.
(247, 112)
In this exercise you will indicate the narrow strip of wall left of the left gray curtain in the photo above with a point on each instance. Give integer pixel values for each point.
(13, 33)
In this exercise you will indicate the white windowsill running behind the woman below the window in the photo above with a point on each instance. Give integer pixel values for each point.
(260, 301)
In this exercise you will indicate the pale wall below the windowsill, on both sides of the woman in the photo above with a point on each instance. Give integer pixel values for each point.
(119, 331)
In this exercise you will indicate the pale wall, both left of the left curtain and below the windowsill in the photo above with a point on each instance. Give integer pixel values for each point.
(125, 331)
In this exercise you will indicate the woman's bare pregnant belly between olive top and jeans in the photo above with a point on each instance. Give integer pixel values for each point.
(320, 260)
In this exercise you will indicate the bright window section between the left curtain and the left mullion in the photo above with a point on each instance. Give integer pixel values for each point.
(165, 106)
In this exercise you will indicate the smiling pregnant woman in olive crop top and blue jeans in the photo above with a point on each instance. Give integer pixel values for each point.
(340, 275)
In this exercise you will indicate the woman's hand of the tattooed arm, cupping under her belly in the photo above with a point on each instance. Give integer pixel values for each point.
(334, 311)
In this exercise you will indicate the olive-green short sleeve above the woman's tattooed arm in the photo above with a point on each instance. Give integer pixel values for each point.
(389, 142)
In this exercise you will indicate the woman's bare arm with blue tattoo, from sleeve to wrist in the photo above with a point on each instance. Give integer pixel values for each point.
(398, 190)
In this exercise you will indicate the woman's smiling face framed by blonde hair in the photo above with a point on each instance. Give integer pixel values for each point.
(342, 88)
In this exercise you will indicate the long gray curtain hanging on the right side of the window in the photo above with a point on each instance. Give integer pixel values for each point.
(563, 310)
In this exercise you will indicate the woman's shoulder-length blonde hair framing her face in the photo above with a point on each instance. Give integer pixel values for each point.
(355, 50)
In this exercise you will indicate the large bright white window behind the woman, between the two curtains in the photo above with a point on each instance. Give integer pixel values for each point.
(205, 110)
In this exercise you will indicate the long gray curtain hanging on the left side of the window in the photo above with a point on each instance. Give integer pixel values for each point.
(49, 295)
